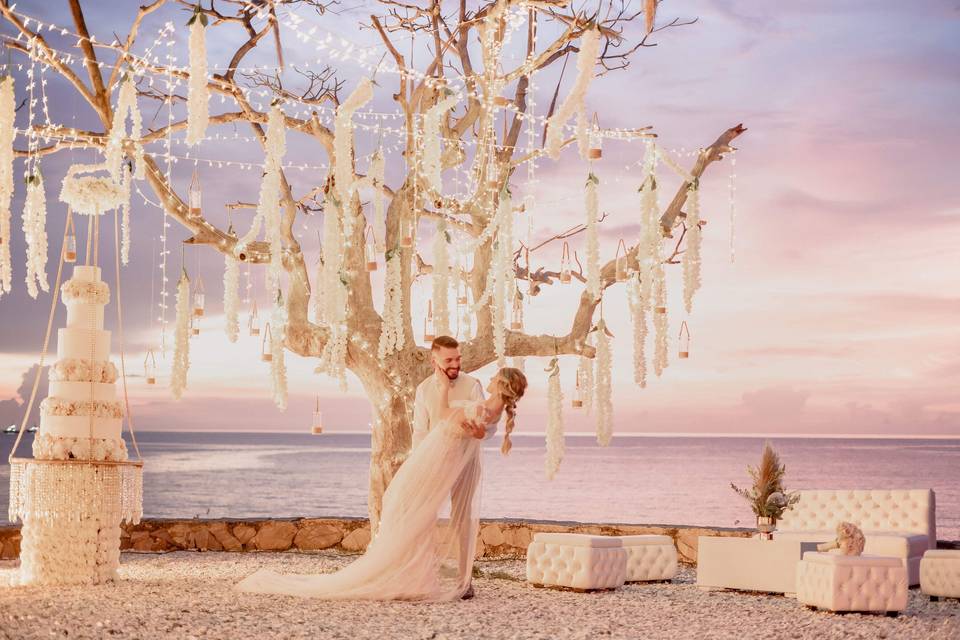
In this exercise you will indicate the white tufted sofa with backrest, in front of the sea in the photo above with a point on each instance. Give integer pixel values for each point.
(900, 523)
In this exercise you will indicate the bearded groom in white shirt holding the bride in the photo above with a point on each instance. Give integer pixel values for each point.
(445, 352)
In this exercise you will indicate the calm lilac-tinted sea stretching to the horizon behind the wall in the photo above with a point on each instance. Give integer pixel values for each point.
(642, 479)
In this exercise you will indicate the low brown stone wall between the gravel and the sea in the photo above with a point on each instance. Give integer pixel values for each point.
(497, 538)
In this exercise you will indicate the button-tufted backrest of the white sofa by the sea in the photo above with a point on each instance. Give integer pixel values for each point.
(894, 510)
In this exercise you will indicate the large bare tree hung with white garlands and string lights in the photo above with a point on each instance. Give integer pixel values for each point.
(457, 40)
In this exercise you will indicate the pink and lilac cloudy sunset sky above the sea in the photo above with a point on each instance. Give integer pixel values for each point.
(840, 313)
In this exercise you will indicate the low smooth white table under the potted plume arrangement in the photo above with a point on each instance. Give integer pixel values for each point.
(750, 564)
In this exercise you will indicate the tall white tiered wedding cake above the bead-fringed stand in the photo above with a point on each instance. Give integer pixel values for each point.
(81, 418)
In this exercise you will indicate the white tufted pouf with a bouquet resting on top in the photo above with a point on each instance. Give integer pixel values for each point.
(851, 583)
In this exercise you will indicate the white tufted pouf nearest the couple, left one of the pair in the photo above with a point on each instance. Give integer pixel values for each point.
(577, 561)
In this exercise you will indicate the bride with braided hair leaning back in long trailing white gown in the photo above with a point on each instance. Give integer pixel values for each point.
(415, 554)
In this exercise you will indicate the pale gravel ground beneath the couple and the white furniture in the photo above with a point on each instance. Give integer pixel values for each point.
(188, 595)
